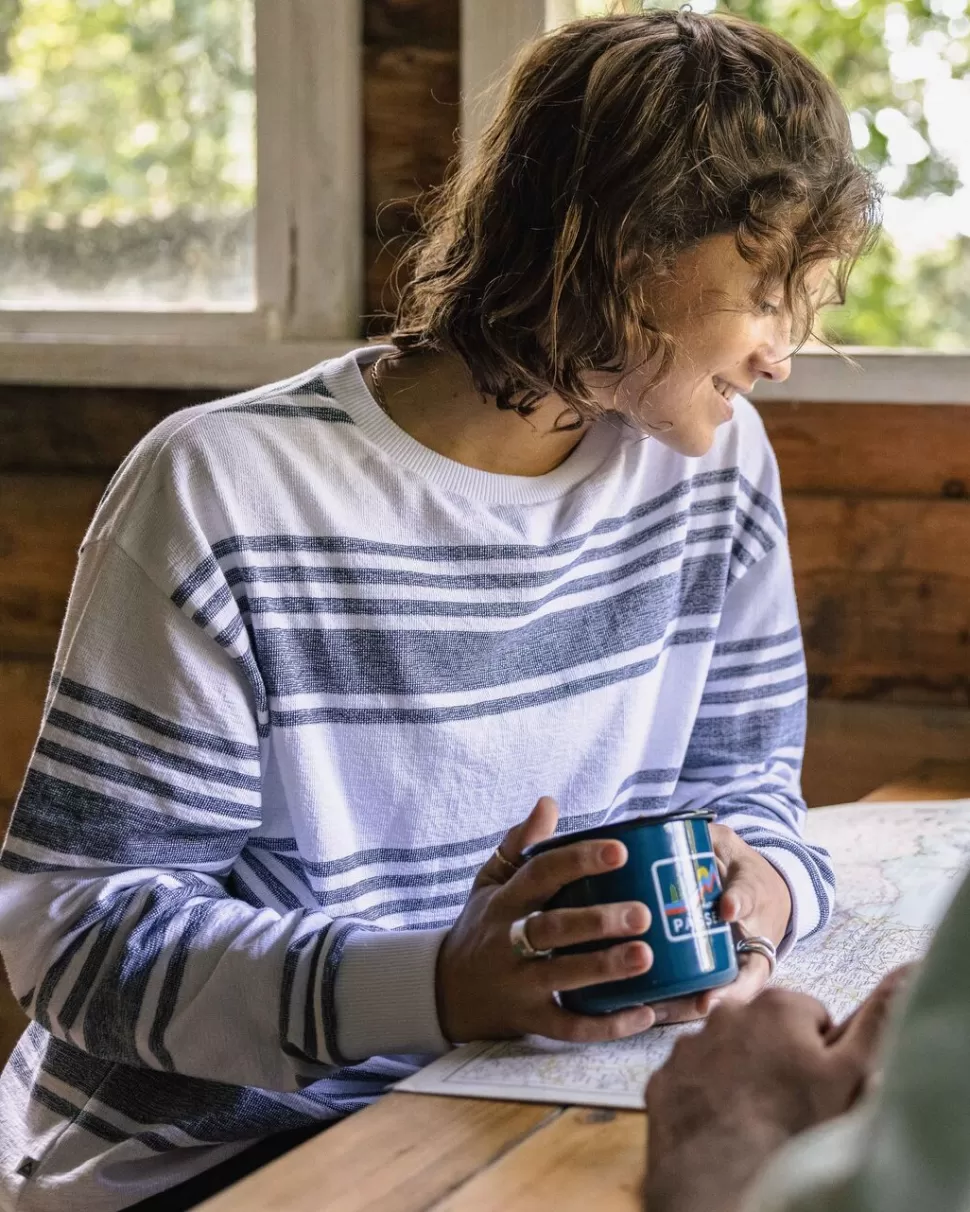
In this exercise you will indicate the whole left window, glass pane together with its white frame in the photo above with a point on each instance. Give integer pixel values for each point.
(180, 171)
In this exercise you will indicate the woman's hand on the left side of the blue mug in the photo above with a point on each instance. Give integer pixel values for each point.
(486, 991)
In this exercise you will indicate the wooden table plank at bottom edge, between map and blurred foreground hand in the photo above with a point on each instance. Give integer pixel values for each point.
(585, 1159)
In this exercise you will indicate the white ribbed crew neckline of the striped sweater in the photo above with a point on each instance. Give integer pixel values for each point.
(346, 381)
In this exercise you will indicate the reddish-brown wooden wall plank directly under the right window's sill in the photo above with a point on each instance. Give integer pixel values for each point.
(871, 449)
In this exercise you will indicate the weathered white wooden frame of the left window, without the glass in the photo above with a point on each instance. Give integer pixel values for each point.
(310, 239)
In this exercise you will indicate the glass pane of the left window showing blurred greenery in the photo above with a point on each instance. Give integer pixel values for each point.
(129, 175)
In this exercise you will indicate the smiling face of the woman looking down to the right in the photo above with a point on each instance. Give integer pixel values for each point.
(726, 340)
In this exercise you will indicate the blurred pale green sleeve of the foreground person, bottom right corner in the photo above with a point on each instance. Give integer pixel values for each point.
(906, 1150)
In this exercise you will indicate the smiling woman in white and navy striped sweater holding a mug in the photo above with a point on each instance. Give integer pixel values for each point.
(330, 641)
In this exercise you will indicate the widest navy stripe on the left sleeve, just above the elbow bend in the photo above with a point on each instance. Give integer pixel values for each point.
(90, 825)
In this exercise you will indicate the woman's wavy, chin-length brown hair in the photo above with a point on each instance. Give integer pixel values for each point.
(623, 142)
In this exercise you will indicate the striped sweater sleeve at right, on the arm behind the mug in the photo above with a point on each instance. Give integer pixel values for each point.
(744, 761)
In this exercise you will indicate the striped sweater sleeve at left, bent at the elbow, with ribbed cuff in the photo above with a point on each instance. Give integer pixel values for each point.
(123, 925)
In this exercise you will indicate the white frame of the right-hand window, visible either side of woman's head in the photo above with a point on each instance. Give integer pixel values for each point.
(494, 31)
